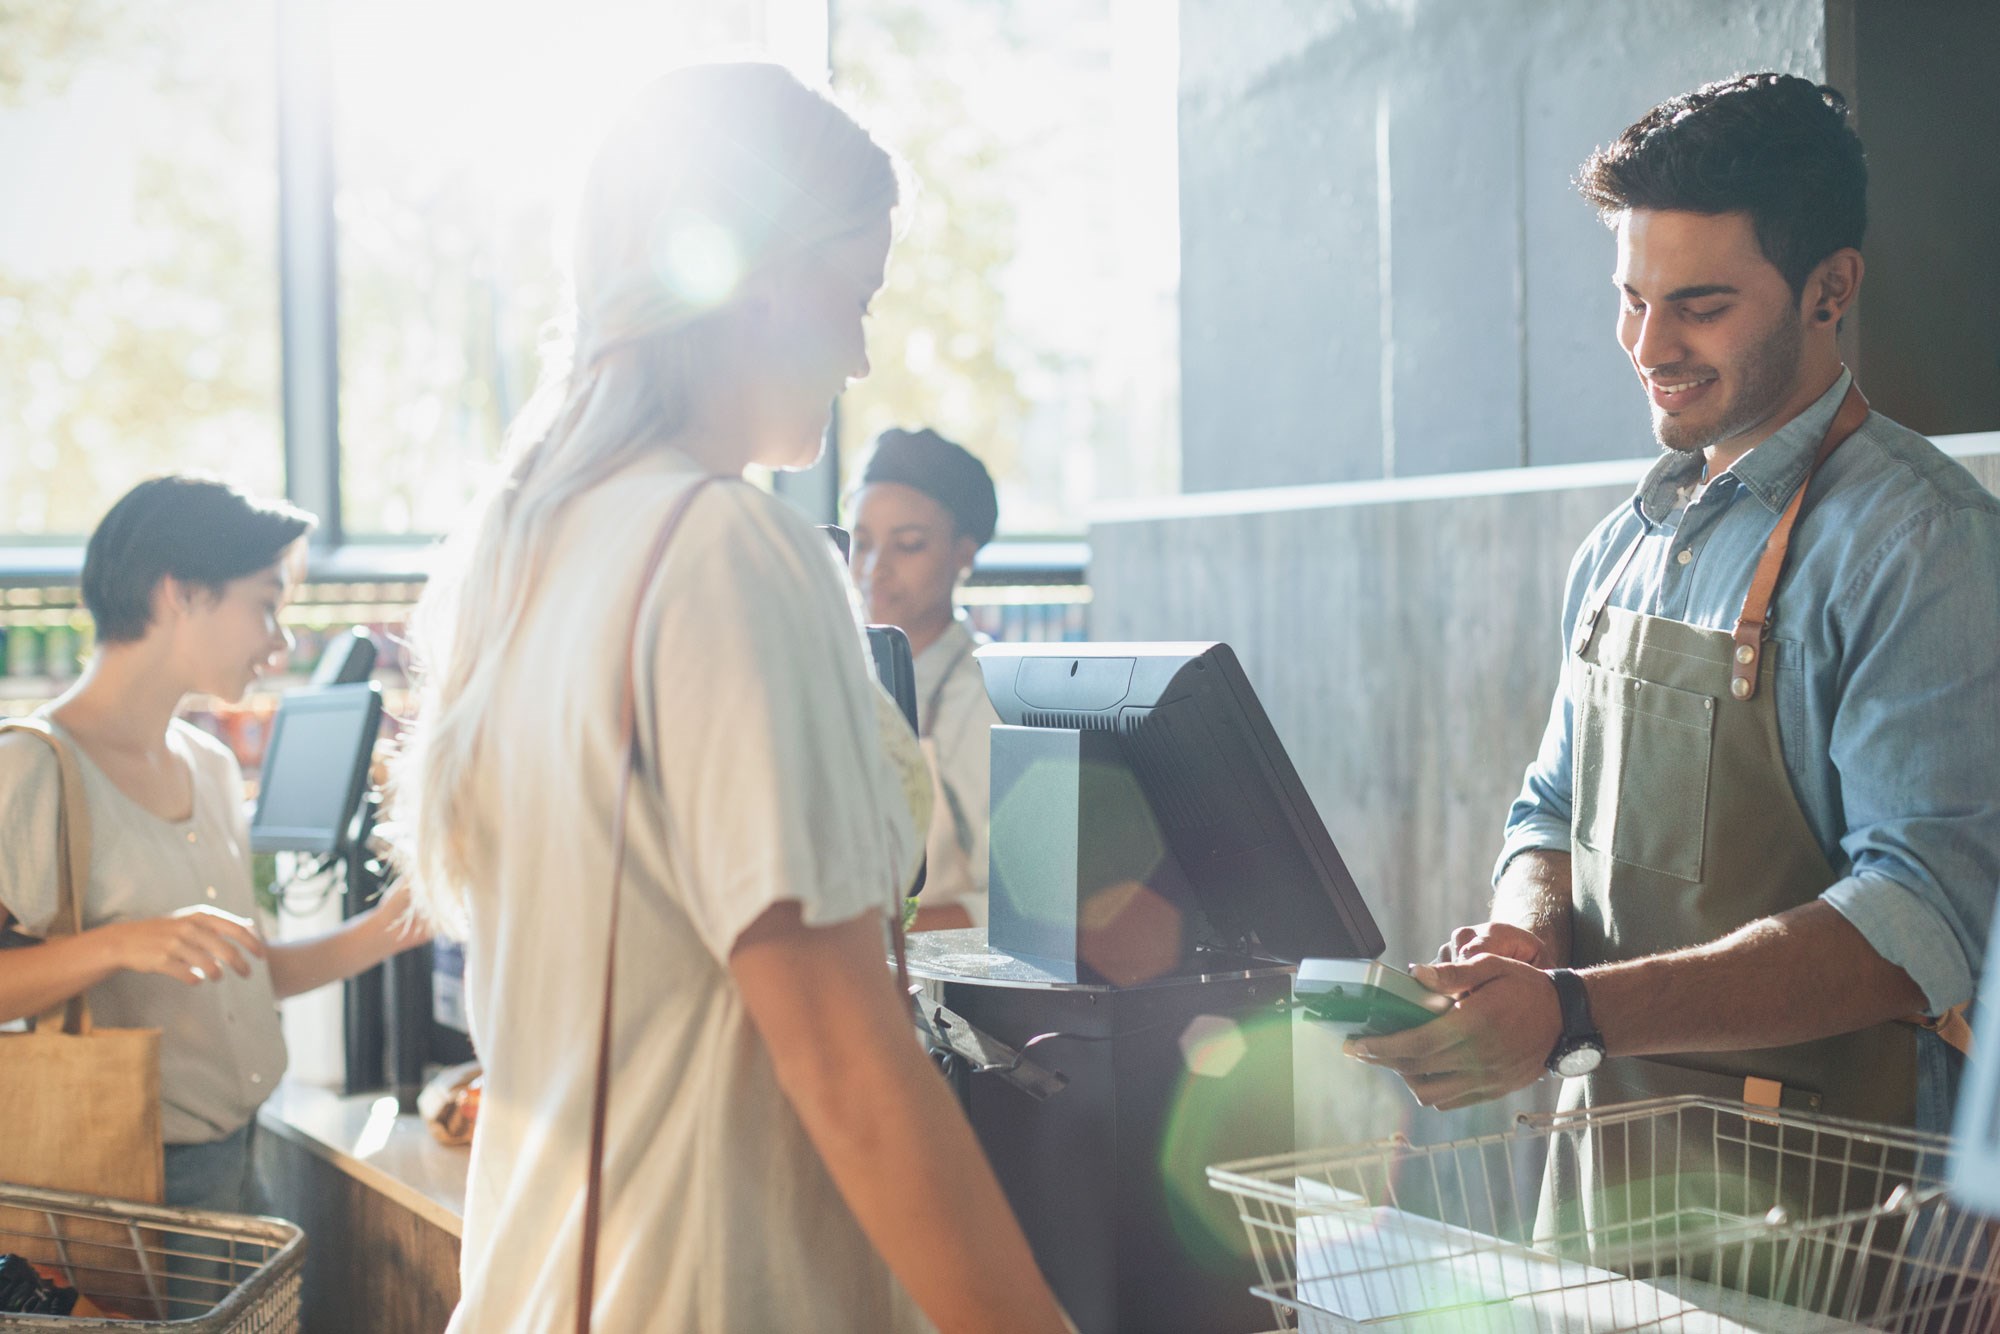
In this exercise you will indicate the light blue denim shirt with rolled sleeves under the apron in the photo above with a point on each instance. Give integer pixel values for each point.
(1887, 657)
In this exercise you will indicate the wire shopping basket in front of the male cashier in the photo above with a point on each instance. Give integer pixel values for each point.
(1735, 1221)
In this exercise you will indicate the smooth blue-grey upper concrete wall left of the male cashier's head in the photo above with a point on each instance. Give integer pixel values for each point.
(1385, 271)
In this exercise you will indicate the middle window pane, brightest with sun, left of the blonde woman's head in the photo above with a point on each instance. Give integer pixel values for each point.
(461, 131)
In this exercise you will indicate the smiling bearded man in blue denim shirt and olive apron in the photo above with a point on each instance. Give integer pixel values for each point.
(1757, 853)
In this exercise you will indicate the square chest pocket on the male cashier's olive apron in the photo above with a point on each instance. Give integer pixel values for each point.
(1643, 771)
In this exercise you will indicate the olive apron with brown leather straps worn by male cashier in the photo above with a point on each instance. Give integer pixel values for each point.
(1685, 829)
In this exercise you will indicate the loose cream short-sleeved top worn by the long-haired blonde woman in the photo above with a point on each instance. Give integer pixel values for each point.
(763, 781)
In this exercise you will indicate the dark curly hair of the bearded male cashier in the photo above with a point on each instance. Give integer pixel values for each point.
(1775, 147)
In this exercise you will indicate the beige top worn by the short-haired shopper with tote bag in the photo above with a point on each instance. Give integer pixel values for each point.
(221, 1043)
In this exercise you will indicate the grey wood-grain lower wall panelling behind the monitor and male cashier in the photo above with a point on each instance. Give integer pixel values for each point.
(1403, 641)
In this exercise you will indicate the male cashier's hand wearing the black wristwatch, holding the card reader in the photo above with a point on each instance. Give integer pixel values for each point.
(1495, 1041)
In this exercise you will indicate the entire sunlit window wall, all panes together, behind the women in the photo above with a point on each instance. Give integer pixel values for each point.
(1031, 311)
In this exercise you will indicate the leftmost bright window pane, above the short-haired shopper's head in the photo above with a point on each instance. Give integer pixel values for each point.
(139, 281)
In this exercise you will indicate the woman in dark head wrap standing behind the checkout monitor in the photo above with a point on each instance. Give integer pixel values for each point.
(921, 515)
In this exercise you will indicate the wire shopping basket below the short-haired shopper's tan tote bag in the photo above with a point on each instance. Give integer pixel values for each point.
(149, 1267)
